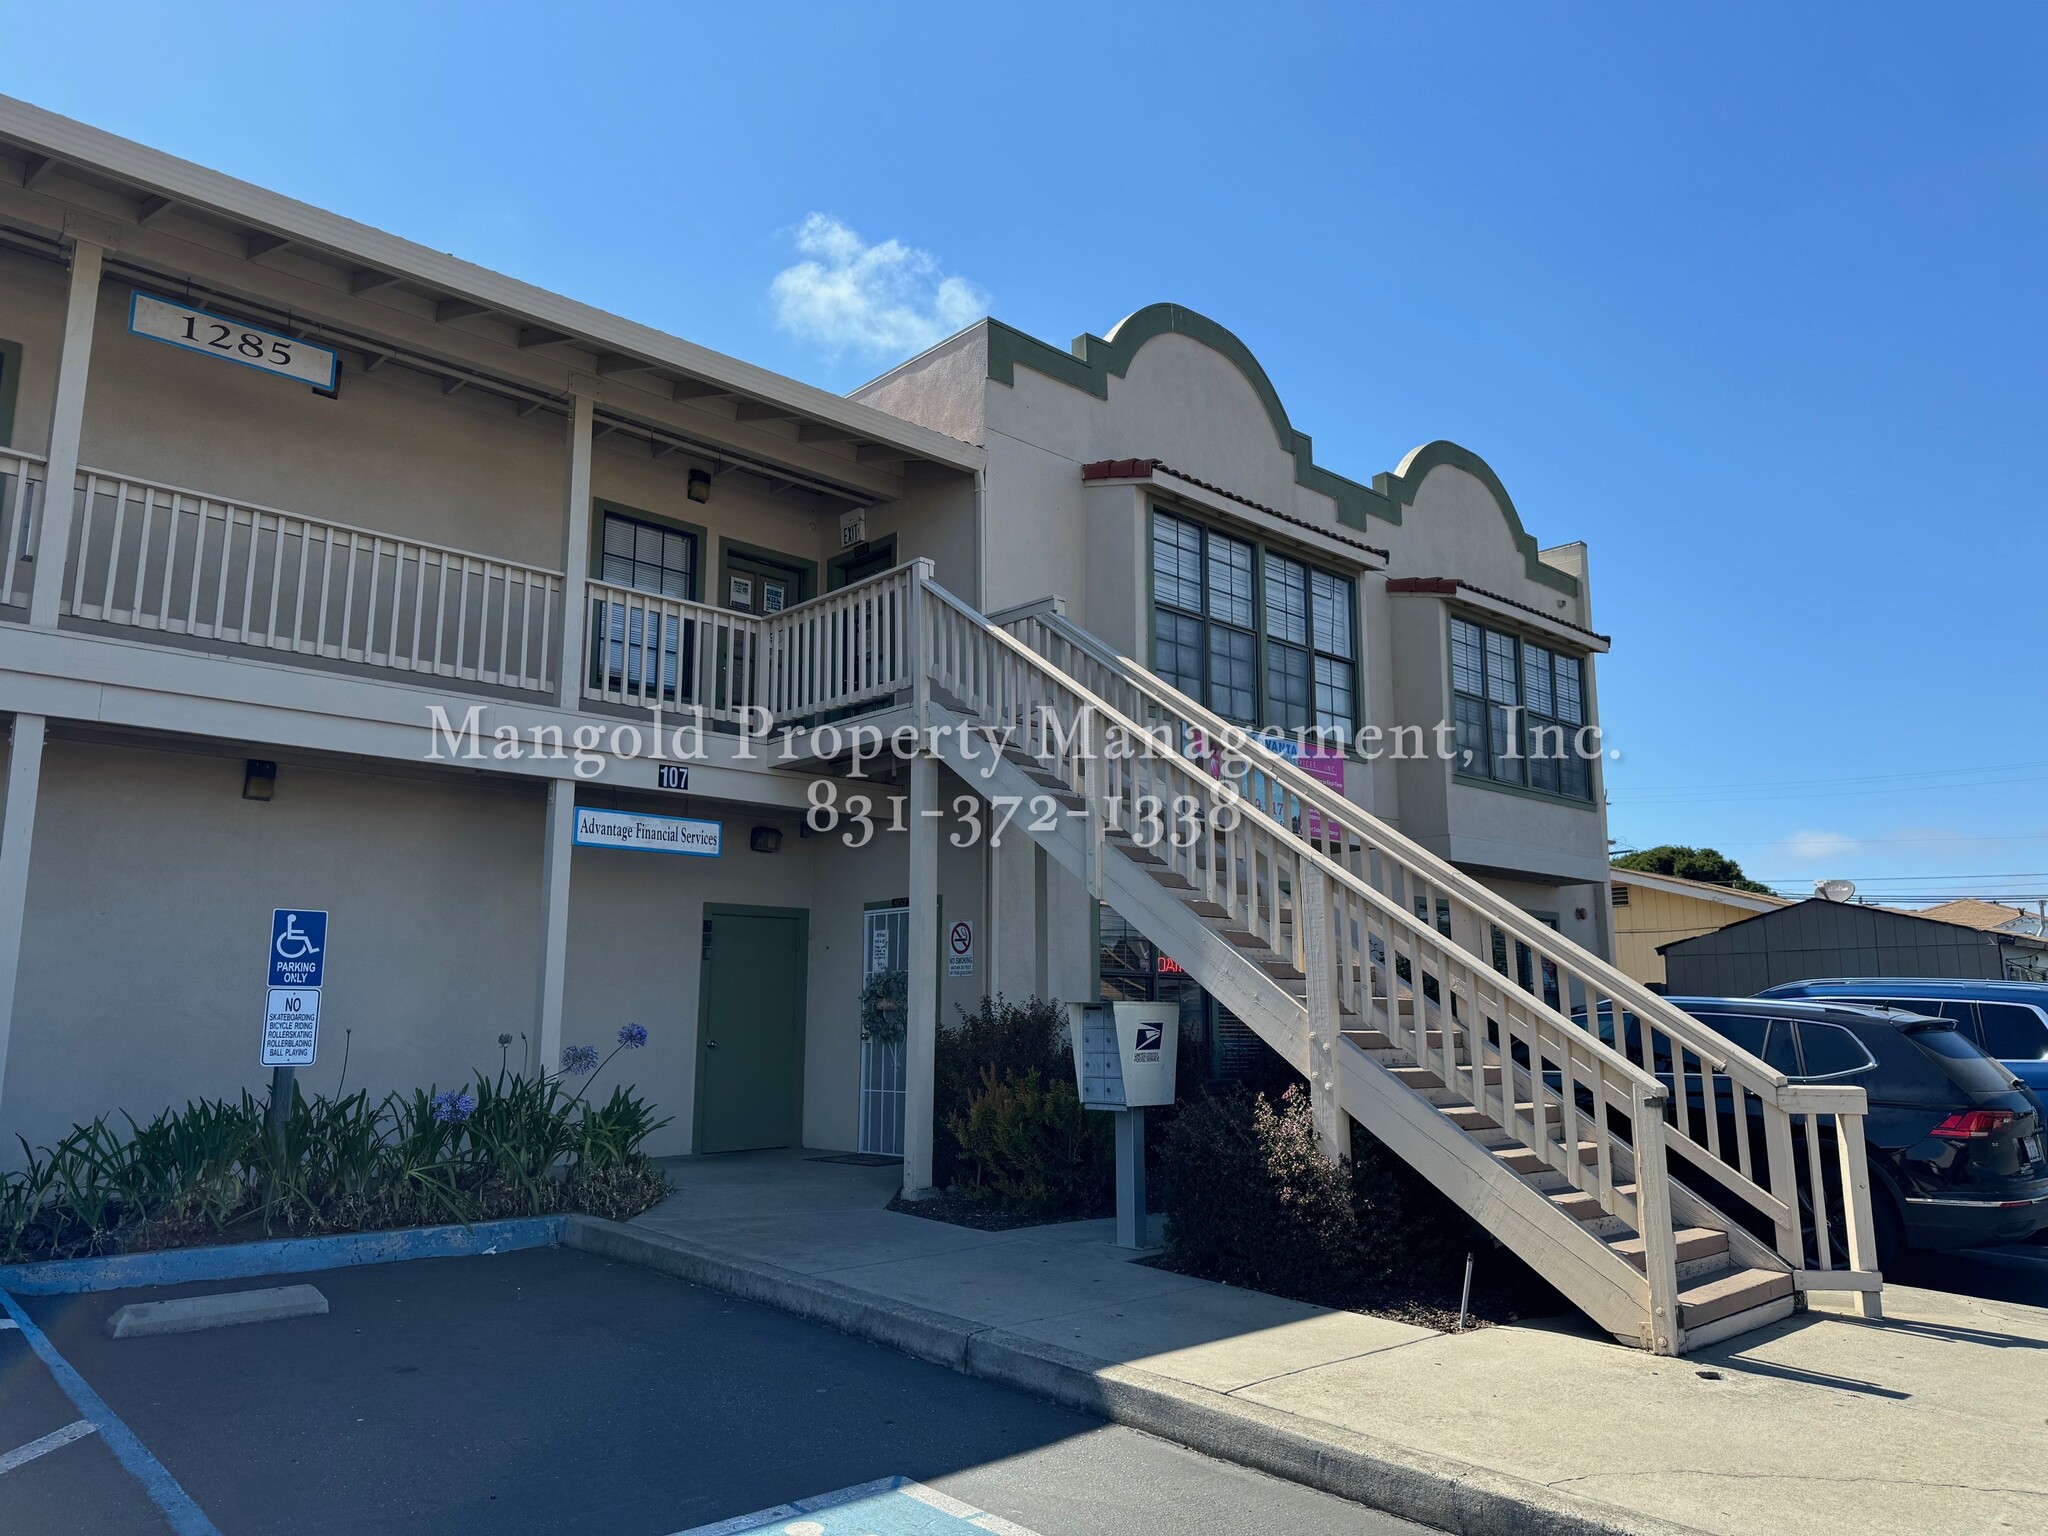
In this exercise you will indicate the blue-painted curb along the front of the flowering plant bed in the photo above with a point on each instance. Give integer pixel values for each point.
(280, 1256)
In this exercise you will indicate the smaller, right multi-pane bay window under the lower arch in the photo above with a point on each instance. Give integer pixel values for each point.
(1519, 710)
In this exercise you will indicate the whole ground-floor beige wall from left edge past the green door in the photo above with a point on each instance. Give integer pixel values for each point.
(153, 886)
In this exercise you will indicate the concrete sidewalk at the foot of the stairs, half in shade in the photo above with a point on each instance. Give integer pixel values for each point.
(1928, 1422)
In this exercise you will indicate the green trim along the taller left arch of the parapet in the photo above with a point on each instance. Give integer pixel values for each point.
(1095, 359)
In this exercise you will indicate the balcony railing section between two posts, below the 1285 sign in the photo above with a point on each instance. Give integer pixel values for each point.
(181, 562)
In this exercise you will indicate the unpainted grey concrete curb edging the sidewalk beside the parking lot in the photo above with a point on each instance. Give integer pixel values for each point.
(1377, 1474)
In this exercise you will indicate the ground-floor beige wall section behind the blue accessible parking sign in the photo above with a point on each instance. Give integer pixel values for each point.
(151, 894)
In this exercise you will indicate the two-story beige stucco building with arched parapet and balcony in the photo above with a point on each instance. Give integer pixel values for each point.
(284, 499)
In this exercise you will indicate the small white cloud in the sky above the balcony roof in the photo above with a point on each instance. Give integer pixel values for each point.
(884, 300)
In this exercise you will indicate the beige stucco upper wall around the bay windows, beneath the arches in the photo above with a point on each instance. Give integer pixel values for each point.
(1191, 407)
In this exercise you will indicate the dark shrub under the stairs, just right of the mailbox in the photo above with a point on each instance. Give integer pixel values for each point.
(1254, 1201)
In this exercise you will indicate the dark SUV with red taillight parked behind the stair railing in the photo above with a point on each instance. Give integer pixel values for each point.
(1955, 1142)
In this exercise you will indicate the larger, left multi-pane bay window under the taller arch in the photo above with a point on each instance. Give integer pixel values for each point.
(1220, 603)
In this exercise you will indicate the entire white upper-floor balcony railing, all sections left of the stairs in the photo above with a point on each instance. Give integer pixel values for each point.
(179, 562)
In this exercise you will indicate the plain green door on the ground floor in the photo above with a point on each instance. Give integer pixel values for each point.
(751, 1029)
